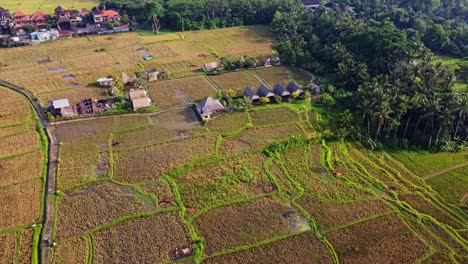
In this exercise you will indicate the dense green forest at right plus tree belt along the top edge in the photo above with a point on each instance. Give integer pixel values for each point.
(374, 61)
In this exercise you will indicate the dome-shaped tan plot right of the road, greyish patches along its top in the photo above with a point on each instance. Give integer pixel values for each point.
(89, 206)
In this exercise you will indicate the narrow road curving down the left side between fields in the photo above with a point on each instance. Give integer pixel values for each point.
(52, 151)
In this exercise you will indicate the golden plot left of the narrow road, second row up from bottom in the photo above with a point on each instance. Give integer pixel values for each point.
(23, 206)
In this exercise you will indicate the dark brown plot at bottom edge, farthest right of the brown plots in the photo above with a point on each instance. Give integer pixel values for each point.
(383, 240)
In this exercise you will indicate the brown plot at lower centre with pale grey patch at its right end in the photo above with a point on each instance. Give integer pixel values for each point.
(232, 226)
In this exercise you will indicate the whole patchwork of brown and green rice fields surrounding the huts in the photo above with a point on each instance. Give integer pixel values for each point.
(166, 187)
